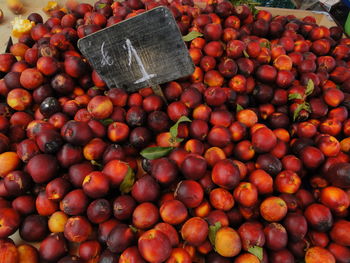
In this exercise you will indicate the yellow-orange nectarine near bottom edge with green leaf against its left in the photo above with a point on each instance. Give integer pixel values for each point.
(227, 242)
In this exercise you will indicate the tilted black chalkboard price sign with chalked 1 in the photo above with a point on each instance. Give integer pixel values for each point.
(144, 50)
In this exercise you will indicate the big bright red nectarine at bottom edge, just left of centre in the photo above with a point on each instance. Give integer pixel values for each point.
(154, 246)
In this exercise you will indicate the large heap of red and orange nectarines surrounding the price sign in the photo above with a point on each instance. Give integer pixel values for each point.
(246, 160)
